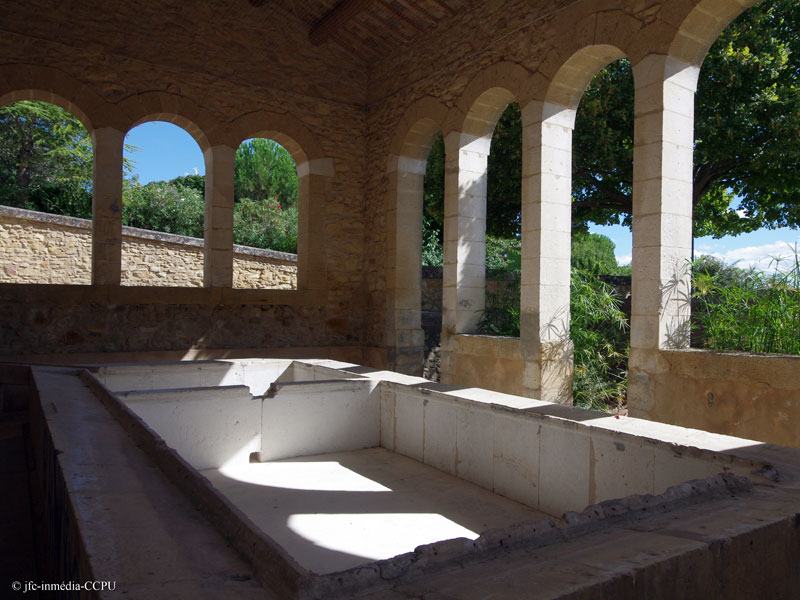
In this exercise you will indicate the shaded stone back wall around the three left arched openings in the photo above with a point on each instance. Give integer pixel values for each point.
(240, 74)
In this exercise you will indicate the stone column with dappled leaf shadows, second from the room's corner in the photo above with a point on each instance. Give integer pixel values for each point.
(464, 273)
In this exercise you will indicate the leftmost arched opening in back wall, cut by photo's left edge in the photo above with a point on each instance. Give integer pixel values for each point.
(46, 161)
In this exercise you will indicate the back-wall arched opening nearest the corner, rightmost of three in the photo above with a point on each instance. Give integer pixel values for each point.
(265, 216)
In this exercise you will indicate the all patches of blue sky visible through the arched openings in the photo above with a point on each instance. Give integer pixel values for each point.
(167, 151)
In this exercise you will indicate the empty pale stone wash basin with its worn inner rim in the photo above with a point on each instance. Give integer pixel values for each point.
(332, 478)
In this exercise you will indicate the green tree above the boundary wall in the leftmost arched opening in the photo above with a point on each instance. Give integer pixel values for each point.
(45, 159)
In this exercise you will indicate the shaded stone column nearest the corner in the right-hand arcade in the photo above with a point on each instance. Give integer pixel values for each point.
(405, 336)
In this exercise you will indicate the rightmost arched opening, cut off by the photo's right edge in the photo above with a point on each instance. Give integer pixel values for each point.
(746, 185)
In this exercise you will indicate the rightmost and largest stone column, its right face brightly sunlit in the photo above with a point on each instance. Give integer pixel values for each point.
(662, 219)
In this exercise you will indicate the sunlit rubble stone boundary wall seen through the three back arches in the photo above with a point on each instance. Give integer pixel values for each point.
(38, 247)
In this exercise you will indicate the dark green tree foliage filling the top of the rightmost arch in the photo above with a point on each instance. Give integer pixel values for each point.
(748, 123)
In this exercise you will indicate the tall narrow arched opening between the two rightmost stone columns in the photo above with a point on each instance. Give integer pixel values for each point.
(602, 215)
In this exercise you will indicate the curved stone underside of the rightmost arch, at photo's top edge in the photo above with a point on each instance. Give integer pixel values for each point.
(702, 26)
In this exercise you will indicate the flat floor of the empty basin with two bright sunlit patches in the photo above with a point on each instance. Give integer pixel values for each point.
(336, 511)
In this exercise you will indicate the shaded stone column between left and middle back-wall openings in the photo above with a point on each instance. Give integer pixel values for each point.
(107, 206)
